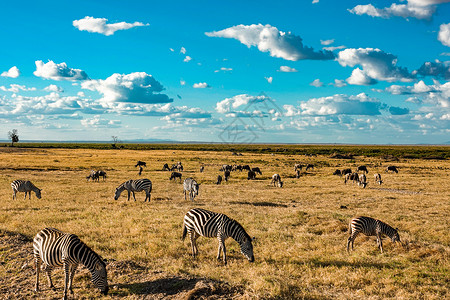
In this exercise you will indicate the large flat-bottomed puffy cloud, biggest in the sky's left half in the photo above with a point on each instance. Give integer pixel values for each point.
(138, 87)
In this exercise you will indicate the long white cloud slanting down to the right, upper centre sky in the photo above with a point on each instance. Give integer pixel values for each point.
(269, 39)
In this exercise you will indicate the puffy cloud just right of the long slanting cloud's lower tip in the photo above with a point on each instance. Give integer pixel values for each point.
(376, 65)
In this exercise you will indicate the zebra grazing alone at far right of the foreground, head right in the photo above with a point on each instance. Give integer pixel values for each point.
(371, 227)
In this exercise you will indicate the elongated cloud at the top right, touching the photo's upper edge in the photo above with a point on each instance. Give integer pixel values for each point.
(413, 9)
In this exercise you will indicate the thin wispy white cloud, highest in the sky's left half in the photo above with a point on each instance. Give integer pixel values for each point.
(98, 25)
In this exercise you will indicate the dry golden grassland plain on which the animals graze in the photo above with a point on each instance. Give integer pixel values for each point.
(300, 230)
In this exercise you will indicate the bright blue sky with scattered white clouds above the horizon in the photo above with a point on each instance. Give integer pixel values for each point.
(322, 71)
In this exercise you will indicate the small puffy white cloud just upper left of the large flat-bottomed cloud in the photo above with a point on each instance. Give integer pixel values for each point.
(60, 71)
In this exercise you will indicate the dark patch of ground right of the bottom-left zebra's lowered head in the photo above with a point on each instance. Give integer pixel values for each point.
(173, 285)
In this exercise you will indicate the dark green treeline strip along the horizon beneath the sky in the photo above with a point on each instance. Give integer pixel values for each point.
(337, 151)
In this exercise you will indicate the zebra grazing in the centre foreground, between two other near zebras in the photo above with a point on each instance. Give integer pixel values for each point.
(200, 222)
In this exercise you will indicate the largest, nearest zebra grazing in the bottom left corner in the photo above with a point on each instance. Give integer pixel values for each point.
(54, 248)
